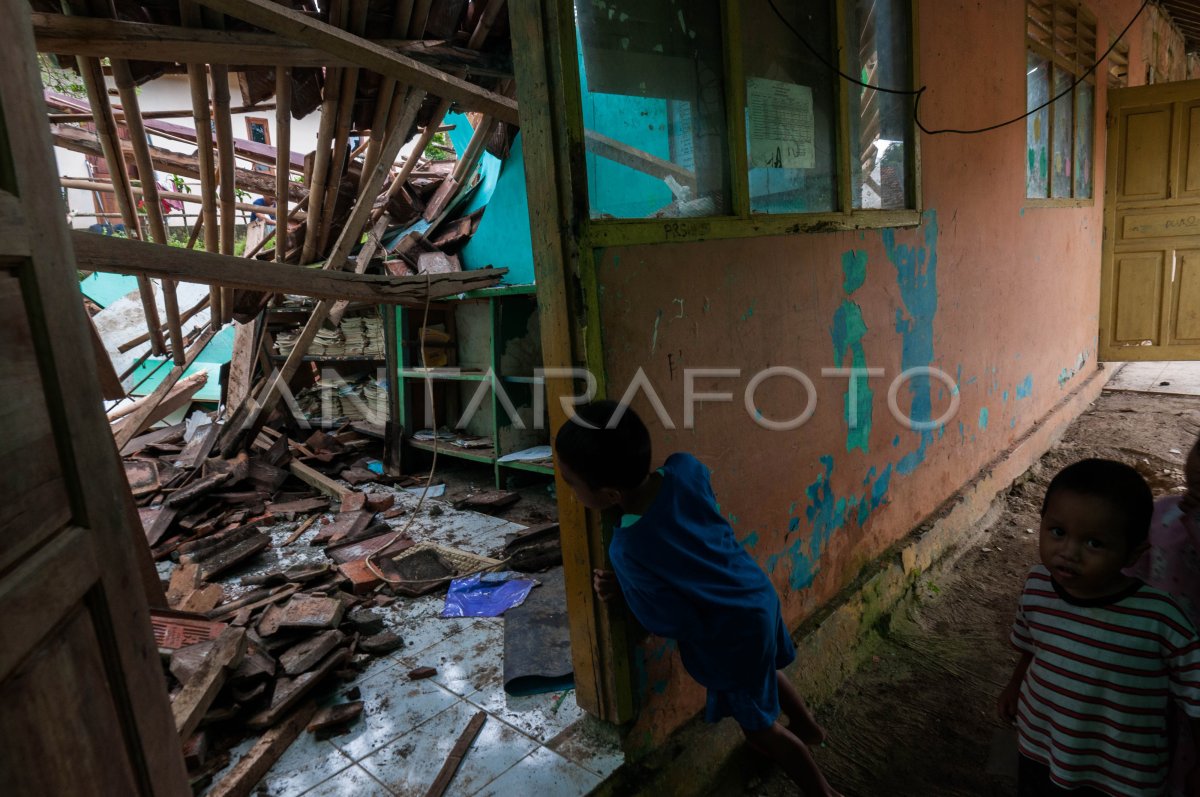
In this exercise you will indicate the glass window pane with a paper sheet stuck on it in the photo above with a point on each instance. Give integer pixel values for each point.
(791, 111)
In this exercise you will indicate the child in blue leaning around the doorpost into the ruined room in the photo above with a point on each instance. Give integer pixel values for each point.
(685, 577)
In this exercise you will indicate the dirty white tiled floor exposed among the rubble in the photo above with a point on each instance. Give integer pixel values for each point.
(538, 745)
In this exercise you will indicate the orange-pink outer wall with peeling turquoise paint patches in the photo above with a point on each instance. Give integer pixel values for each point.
(1000, 296)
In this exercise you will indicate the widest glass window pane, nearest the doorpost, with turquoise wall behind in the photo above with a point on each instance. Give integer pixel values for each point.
(653, 107)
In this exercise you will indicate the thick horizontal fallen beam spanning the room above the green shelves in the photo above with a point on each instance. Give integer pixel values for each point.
(123, 256)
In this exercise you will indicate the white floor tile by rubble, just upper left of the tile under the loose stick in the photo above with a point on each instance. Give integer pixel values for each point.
(393, 705)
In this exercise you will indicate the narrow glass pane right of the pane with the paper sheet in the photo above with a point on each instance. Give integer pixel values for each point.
(879, 53)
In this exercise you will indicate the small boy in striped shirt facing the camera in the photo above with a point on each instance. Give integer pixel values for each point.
(1102, 654)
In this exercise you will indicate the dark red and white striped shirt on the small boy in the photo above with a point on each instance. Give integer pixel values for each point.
(1095, 700)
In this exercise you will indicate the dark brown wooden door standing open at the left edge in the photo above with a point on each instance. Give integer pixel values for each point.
(83, 704)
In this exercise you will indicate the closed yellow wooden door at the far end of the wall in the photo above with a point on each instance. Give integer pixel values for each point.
(1150, 289)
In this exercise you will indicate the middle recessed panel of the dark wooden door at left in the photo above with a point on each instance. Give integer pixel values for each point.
(39, 502)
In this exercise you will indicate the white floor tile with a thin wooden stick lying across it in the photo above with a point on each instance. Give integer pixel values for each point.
(409, 765)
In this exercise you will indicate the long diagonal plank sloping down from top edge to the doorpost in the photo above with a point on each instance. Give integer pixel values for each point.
(368, 55)
